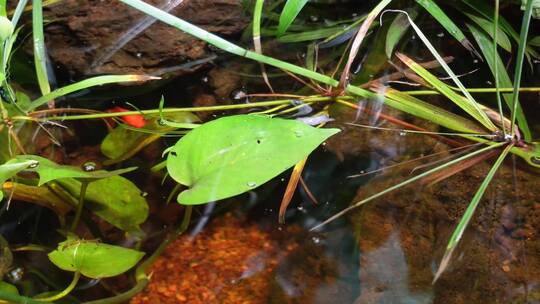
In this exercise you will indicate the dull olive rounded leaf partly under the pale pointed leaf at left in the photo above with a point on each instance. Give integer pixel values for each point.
(115, 199)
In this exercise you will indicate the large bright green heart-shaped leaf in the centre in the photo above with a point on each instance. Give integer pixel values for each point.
(235, 154)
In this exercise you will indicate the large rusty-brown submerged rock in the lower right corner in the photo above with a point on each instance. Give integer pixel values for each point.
(403, 235)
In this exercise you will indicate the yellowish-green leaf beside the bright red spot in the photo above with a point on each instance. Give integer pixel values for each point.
(122, 143)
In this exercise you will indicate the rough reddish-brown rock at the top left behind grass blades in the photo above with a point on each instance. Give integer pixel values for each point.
(97, 37)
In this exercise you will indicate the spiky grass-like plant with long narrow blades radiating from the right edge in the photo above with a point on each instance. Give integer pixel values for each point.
(500, 133)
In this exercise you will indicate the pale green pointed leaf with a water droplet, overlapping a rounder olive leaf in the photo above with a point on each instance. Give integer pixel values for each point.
(49, 170)
